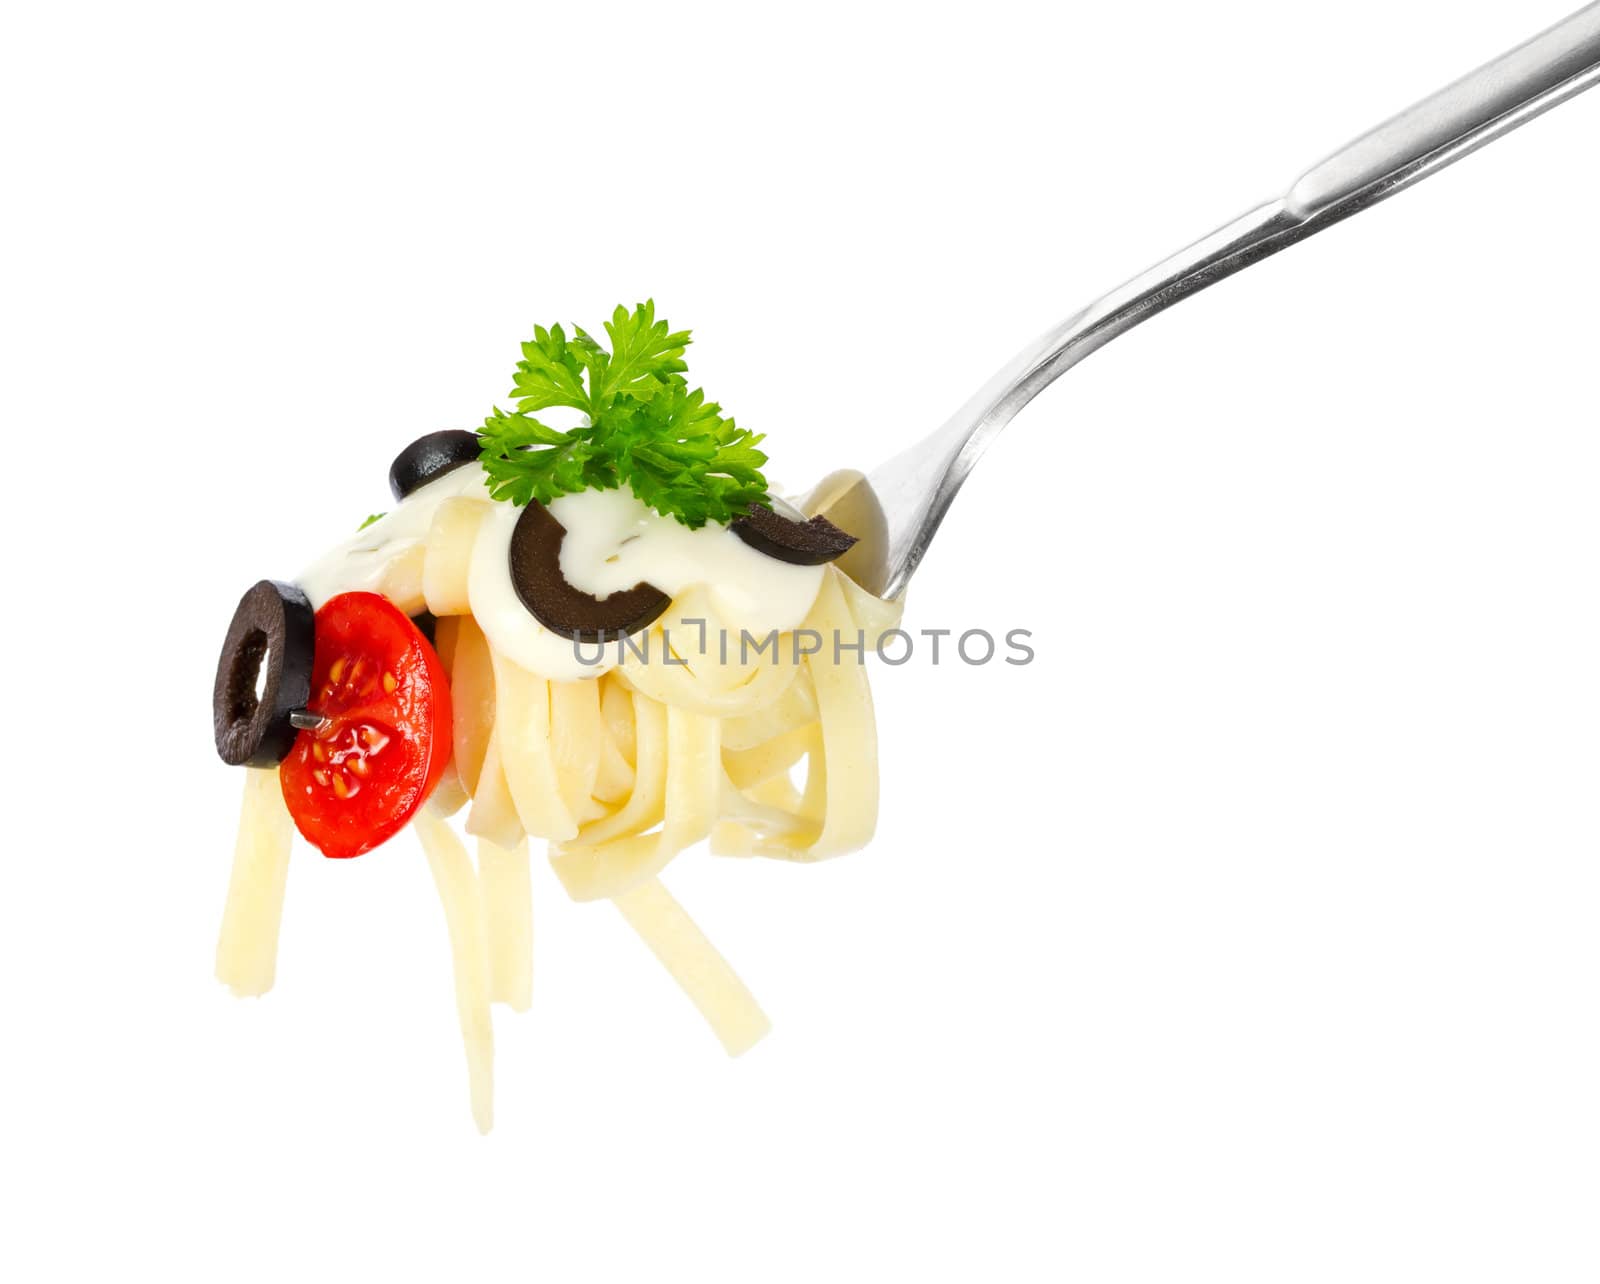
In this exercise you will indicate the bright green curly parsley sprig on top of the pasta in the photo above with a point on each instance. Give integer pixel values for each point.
(647, 430)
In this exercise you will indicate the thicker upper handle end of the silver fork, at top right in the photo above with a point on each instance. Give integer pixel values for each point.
(1458, 119)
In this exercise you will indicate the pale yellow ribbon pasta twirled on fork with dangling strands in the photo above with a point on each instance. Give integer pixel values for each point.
(700, 734)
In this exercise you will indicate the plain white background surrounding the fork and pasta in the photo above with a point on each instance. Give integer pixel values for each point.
(1250, 934)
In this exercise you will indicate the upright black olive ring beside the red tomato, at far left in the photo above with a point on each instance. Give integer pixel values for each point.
(273, 628)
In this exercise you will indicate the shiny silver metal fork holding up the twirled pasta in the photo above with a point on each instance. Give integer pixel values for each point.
(898, 507)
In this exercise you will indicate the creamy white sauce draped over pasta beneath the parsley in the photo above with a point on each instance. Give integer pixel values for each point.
(614, 542)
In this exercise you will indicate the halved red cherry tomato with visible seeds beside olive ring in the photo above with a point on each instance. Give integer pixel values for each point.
(386, 740)
